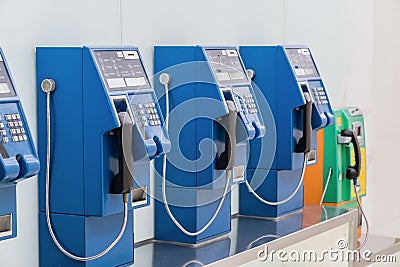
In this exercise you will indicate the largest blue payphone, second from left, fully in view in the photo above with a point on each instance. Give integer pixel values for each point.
(99, 126)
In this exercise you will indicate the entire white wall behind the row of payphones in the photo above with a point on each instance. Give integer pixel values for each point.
(340, 33)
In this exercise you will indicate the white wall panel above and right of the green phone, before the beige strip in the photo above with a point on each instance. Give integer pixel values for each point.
(340, 33)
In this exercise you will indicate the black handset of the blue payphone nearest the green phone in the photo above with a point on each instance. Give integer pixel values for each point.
(304, 144)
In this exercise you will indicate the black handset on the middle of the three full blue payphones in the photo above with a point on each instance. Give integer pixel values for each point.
(227, 158)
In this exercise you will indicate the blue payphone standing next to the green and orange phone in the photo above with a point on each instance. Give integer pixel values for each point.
(291, 83)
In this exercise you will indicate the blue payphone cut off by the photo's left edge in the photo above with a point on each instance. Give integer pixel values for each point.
(18, 159)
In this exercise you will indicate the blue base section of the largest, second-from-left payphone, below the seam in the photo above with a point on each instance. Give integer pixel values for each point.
(85, 236)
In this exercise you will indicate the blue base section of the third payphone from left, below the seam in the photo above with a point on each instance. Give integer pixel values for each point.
(192, 209)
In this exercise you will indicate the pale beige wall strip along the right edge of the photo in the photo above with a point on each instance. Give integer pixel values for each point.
(384, 182)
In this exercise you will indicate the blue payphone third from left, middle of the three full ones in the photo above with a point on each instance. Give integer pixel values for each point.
(211, 113)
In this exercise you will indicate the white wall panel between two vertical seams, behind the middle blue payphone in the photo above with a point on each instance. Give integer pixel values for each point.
(191, 23)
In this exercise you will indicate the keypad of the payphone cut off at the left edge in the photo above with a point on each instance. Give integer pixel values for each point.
(16, 128)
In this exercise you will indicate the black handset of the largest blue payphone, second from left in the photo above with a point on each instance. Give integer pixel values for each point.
(123, 180)
